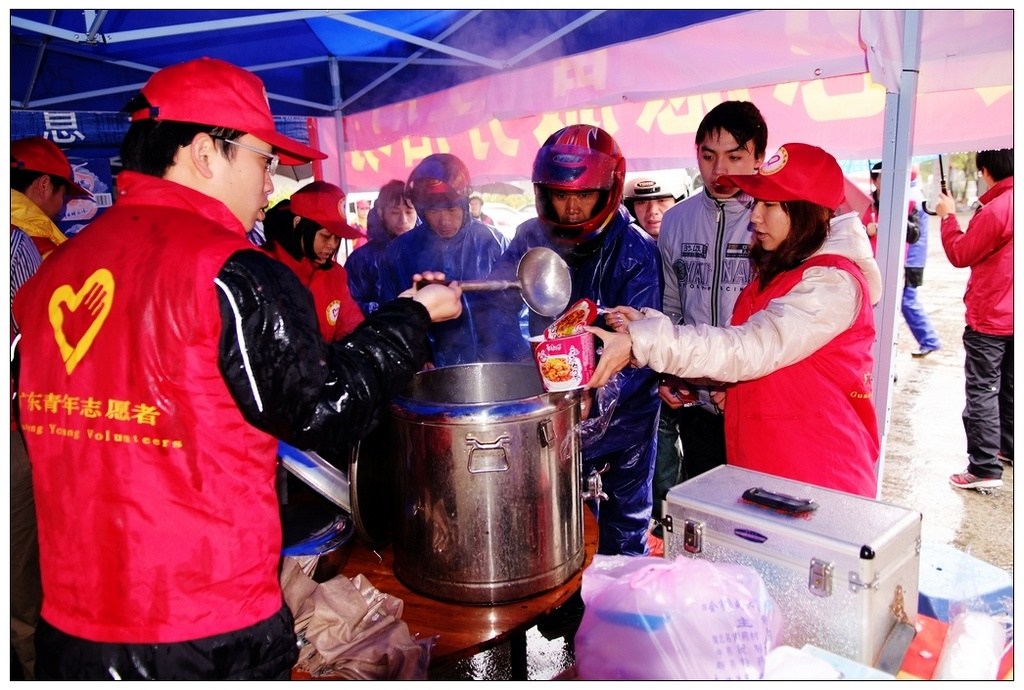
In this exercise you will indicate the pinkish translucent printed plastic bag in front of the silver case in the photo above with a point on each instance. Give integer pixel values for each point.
(653, 619)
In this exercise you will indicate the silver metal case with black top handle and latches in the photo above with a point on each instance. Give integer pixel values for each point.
(843, 574)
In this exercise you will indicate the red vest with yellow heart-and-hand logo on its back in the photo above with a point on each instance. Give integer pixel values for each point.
(158, 513)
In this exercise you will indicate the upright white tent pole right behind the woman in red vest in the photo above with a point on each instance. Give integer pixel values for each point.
(898, 150)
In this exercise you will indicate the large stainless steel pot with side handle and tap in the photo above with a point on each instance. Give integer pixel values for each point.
(489, 473)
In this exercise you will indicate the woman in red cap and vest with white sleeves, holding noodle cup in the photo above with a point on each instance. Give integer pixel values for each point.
(798, 353)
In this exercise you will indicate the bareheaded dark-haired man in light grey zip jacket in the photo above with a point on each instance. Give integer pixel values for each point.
(704, 242)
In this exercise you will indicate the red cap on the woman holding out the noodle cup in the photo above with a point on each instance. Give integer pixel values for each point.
(798, 172)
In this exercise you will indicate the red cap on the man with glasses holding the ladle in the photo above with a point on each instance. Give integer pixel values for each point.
(210, 92)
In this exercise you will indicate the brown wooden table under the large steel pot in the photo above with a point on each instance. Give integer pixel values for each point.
(464, 630)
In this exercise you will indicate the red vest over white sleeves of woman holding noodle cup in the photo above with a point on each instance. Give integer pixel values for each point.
(813, 421)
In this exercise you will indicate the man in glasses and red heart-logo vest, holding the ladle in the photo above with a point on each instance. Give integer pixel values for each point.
(162, 359)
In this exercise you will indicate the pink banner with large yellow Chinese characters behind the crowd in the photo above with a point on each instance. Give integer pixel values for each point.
(844, 115)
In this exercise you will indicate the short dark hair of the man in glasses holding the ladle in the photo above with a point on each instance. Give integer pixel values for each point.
(150, 147)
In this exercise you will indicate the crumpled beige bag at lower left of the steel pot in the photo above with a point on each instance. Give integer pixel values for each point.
(350, 630)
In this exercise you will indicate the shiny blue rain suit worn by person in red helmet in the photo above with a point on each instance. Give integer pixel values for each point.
(619, 268)
